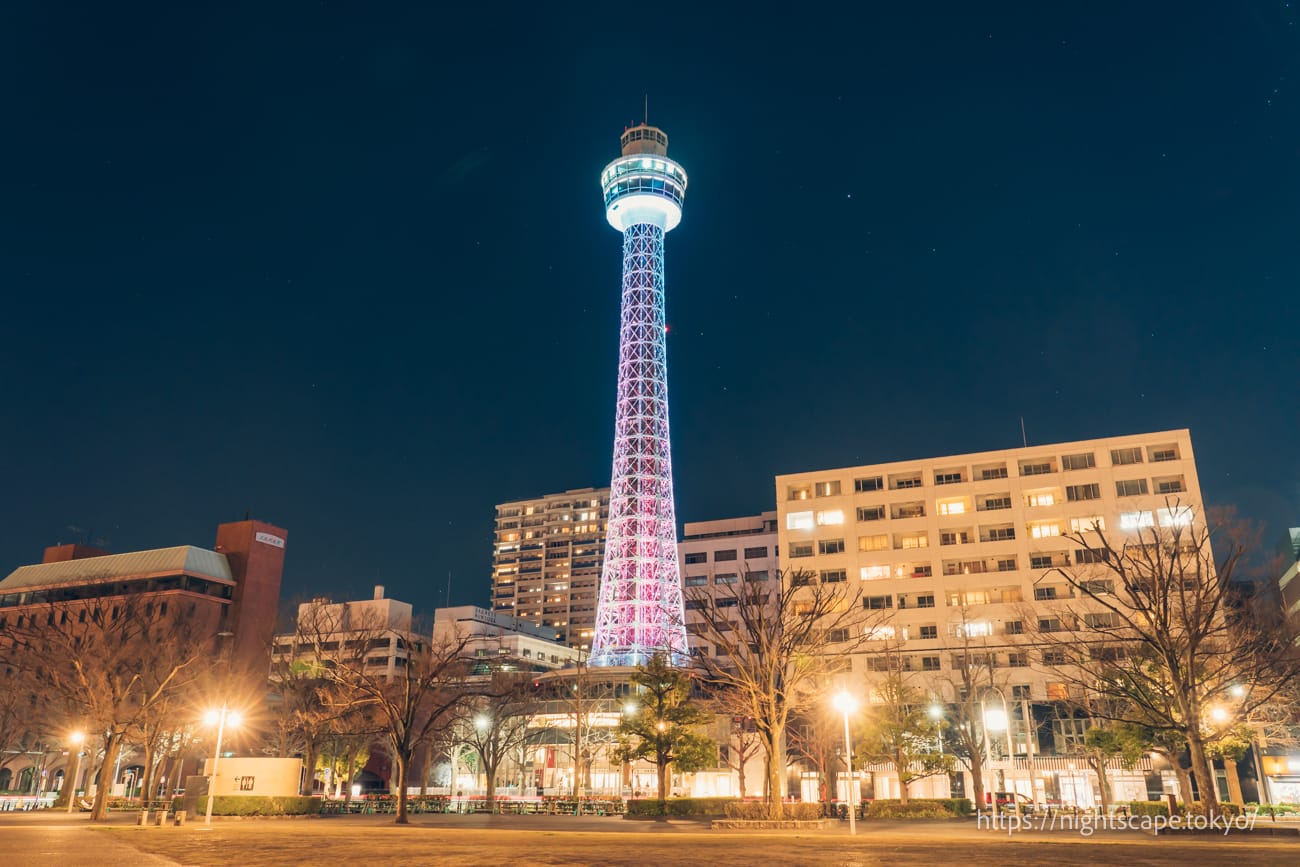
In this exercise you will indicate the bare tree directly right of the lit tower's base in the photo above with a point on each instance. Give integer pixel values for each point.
(774, 648)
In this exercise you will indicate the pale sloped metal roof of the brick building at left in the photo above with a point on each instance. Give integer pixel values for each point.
(185, 560)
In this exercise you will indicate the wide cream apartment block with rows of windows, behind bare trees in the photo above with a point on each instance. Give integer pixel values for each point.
(960, 552)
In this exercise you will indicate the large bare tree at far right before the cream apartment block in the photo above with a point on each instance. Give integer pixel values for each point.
(1155, 628)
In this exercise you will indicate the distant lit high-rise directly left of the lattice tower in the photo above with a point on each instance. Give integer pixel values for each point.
(547, 565)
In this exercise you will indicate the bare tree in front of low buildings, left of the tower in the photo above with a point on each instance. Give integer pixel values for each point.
(410, 708)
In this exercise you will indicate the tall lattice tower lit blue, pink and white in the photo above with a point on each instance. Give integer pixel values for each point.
(640, 612)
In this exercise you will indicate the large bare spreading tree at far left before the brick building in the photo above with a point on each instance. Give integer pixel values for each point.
(112, 664)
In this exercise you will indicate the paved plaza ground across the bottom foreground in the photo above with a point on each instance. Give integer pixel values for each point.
(46, 839)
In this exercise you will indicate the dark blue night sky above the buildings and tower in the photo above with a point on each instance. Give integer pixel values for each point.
(346, 266)
